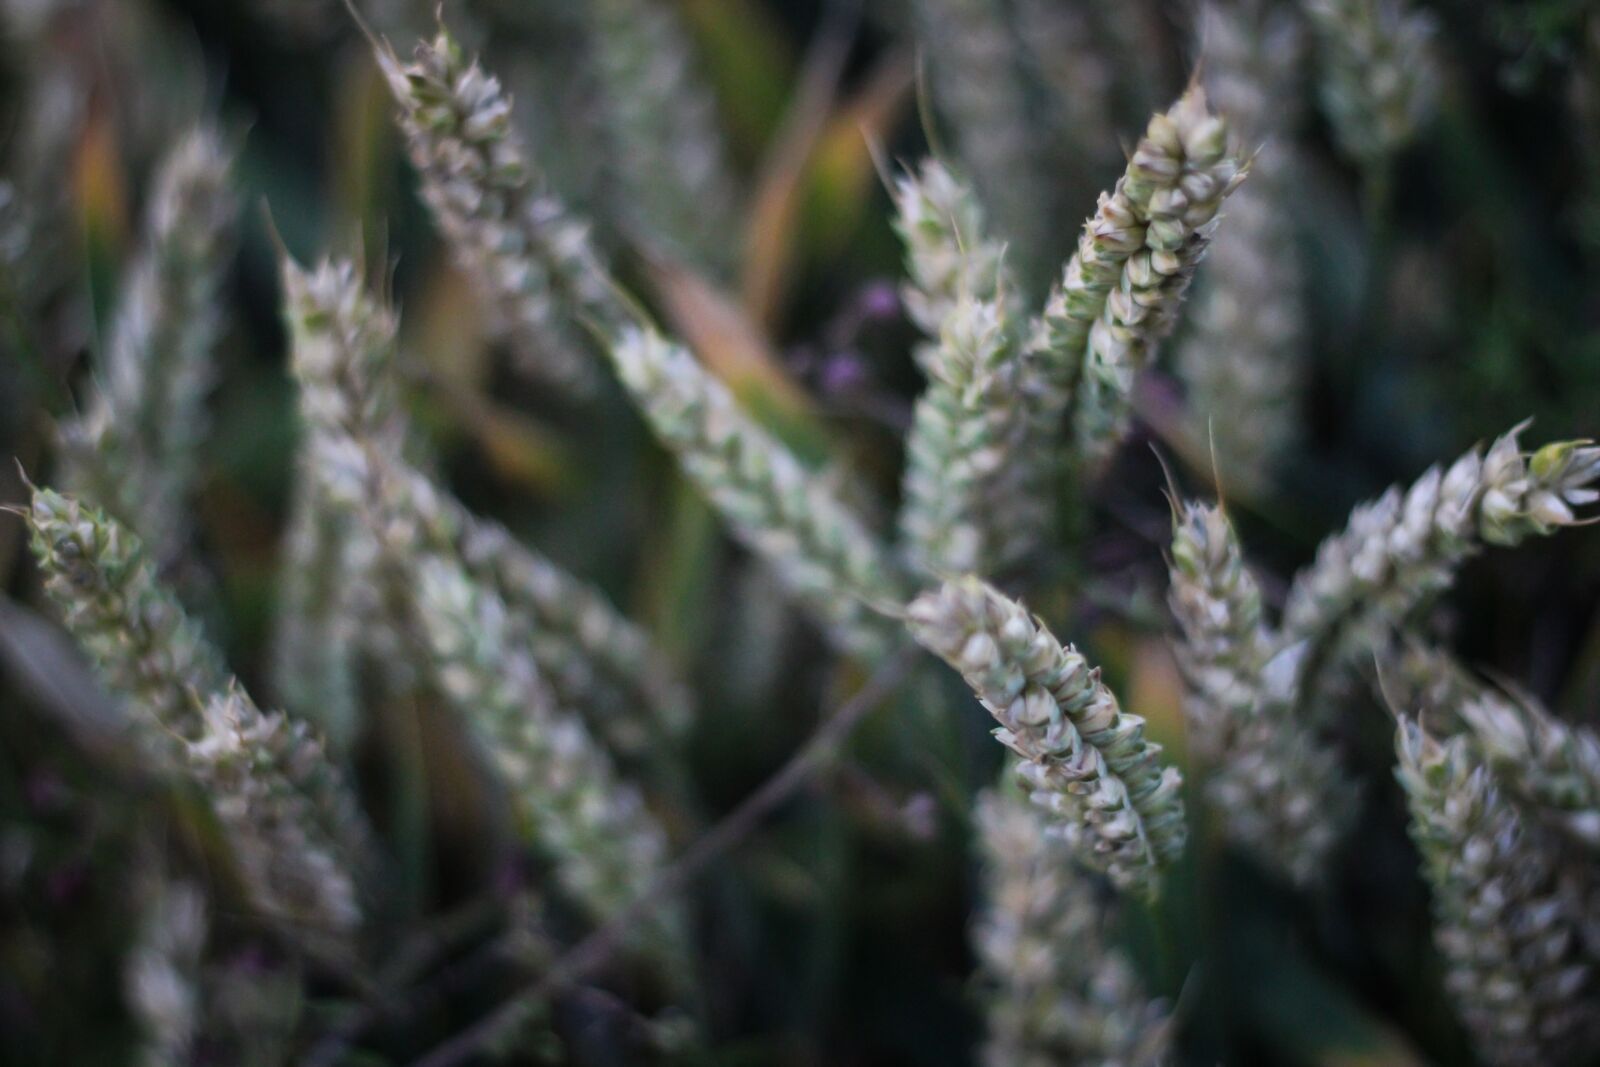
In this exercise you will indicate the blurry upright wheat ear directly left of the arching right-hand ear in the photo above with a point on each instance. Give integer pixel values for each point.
(1276, 786)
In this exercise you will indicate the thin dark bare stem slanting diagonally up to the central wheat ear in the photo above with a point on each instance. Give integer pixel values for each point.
(598, 948)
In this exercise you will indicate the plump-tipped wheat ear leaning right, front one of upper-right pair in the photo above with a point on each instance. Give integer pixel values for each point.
(1175, 186)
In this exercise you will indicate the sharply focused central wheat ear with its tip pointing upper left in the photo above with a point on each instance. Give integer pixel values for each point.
(1084, 757)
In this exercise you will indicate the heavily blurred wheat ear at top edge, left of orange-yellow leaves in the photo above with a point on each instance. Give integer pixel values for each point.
(673, 170)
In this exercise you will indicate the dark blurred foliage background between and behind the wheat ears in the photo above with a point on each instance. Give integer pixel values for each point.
(1450, 290)
